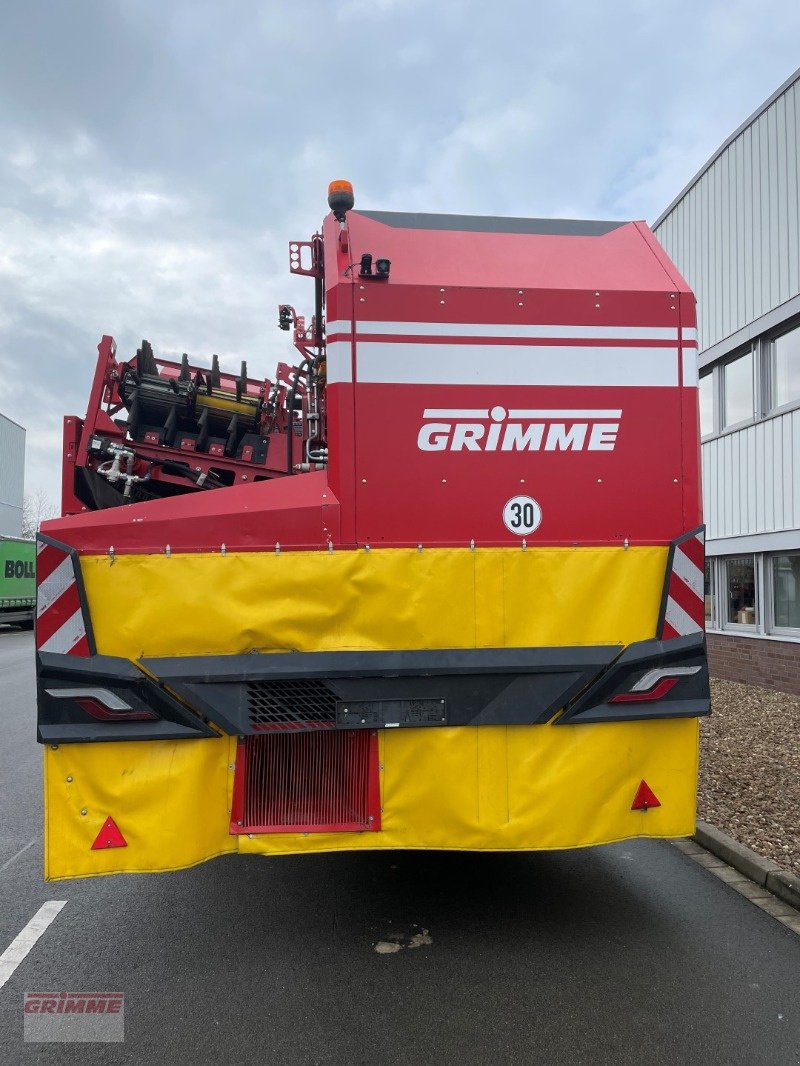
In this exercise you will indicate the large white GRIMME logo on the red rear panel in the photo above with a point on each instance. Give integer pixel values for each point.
(500, 430)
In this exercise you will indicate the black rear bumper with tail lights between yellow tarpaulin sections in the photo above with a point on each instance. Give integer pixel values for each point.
(241, 696)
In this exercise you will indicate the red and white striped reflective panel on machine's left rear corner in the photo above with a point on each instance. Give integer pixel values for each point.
(60, 624)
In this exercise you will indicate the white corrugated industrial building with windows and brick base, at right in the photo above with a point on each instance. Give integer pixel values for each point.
(734, 234)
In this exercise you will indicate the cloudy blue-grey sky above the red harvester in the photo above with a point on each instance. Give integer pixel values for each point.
(156, 156)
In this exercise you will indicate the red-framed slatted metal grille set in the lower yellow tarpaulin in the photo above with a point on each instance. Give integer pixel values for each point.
(323, 782)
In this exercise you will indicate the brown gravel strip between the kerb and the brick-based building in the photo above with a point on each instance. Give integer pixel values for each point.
(750, 769)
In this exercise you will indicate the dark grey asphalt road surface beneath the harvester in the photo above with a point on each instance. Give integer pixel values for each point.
(630, 954)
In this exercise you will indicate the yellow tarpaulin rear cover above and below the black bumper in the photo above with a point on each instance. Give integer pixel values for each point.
(488, 787)
